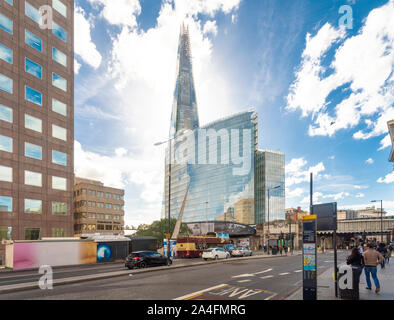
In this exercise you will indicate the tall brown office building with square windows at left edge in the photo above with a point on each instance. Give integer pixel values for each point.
(36, 119)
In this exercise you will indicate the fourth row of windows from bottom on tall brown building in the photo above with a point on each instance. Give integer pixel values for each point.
(33, 151)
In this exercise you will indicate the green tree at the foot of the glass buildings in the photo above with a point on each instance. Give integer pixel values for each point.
(159, 229)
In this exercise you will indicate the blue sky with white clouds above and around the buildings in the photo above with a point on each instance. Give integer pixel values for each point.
(323, 91)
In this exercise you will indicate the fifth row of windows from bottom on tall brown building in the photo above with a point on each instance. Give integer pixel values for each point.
(32, 123)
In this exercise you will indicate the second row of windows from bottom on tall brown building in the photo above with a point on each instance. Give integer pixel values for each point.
(33, 206)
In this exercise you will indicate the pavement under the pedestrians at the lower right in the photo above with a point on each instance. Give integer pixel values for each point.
(326, 286)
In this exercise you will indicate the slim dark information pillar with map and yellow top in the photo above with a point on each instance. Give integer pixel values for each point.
(309, 258)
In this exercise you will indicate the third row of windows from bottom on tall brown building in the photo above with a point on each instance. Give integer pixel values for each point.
(33, 179)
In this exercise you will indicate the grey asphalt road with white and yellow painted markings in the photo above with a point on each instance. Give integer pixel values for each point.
(255, 279)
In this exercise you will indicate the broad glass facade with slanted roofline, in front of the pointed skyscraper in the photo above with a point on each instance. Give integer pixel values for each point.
(219, 175)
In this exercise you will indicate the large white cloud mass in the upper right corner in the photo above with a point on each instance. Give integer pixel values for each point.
(363, 62)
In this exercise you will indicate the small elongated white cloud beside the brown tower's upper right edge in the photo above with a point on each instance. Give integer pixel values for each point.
(83, 45)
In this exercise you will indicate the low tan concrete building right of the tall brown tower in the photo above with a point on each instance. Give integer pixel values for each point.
(97, 209)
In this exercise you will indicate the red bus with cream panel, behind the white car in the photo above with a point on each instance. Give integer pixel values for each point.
(193, 246)
